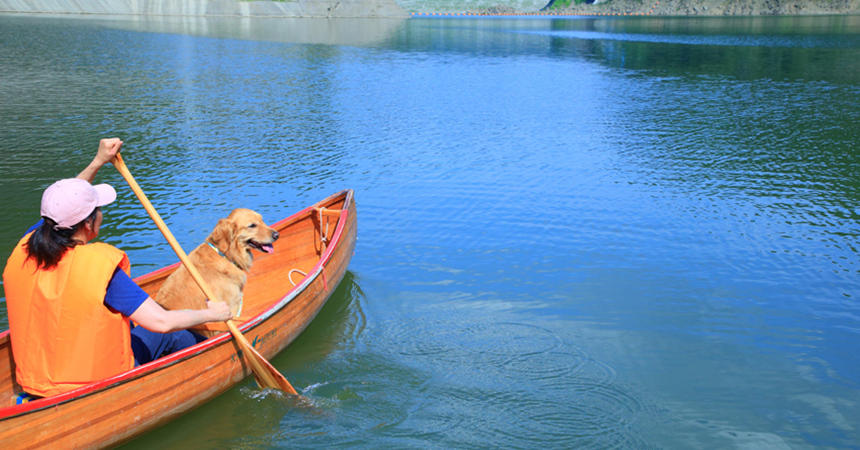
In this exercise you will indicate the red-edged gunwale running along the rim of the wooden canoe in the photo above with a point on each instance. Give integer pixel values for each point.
(209, 344)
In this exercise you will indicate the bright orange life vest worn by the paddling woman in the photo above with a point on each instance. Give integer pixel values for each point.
(63, 335)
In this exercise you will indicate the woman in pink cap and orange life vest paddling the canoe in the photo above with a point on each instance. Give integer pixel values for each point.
(69, 301)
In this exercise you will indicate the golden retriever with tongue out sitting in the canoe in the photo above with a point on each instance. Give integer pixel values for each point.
(223, 260)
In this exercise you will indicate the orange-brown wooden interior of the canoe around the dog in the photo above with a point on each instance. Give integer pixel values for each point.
(299, 247)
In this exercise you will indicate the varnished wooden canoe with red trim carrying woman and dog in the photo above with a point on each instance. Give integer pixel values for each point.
(313, 252)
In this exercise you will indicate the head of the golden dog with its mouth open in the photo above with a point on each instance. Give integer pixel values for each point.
(239, 233)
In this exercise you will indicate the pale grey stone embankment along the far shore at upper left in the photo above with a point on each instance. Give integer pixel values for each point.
(294, 8)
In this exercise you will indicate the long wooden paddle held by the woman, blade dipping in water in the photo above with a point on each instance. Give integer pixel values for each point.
(265, 374)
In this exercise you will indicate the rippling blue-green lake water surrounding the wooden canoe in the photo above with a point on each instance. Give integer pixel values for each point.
(574, 232)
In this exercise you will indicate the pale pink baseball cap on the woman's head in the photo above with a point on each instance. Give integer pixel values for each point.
(70, 201)
